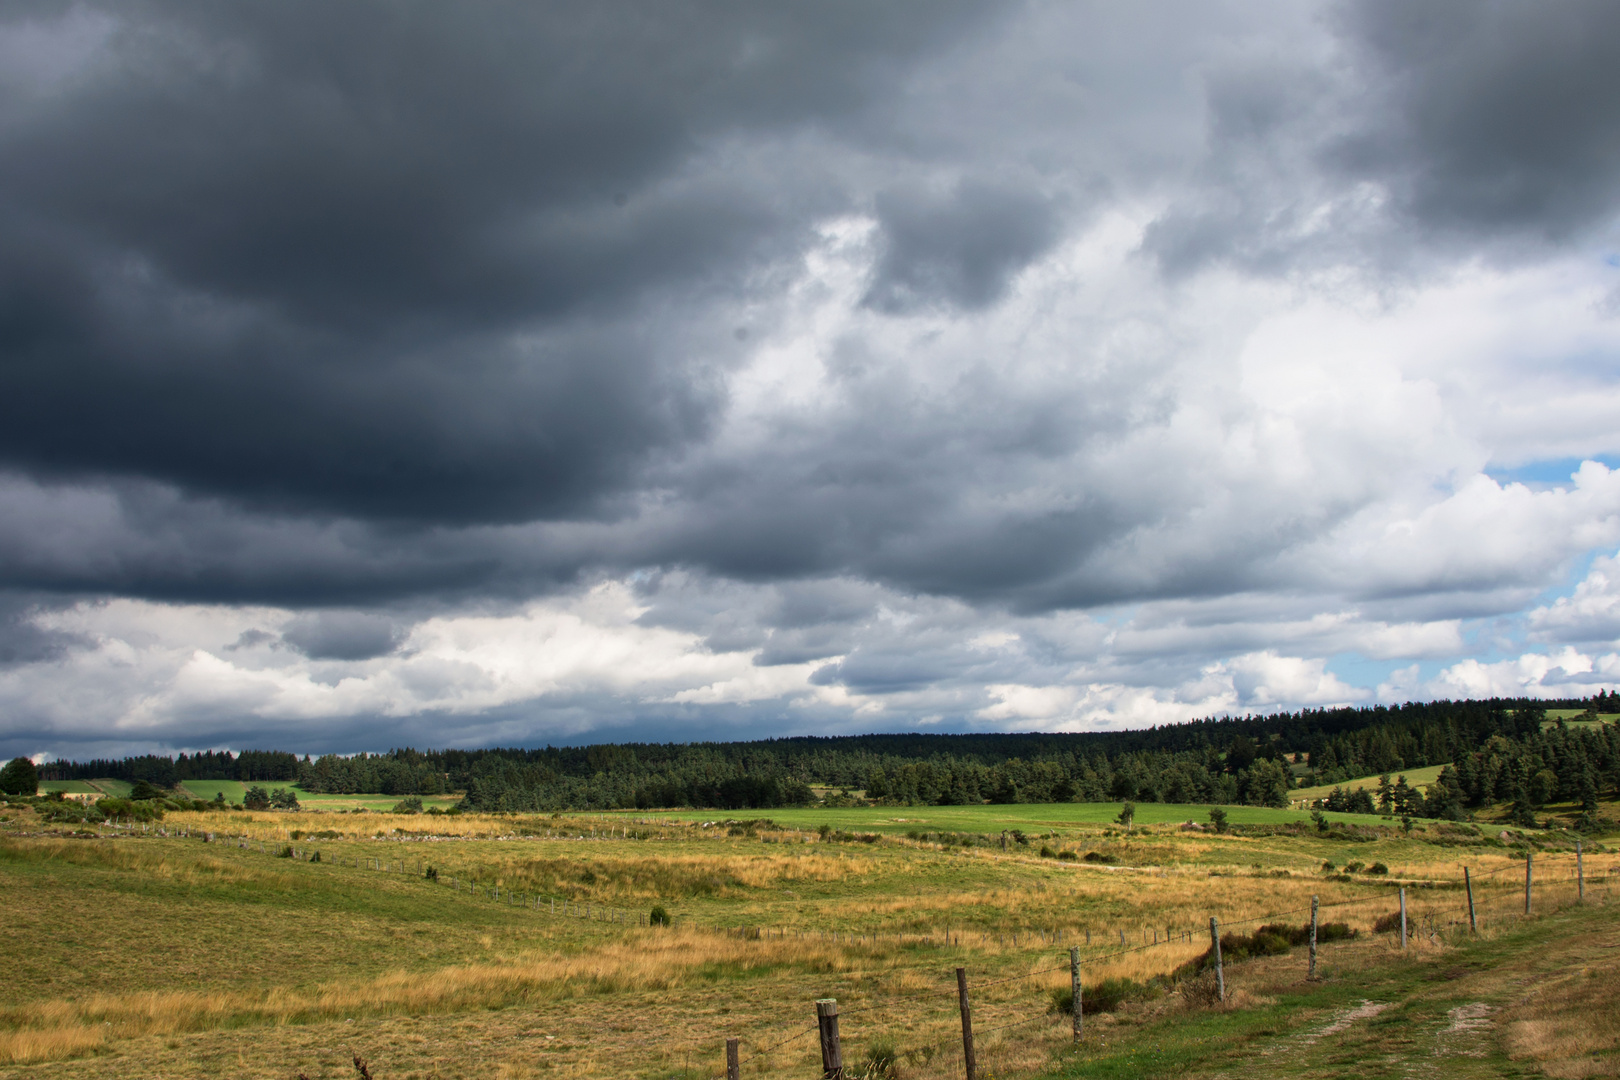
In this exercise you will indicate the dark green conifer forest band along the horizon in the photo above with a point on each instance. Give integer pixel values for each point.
(1499, 750)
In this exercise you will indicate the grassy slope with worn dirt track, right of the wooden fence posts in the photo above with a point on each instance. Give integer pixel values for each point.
(1537, 995)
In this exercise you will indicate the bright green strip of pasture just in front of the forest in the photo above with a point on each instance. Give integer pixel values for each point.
(995, 819)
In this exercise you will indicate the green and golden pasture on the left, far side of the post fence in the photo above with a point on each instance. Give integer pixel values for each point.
(145, 914)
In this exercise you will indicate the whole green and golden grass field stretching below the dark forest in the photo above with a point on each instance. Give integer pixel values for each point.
(145, 955)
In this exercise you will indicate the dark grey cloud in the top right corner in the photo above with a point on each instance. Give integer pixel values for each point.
(1496, 117)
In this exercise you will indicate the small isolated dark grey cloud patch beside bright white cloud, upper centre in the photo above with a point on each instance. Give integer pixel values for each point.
(958, 249)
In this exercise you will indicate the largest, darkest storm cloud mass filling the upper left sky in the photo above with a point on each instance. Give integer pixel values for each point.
(401, 261)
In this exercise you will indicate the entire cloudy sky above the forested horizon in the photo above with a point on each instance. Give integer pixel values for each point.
(398, 373)
